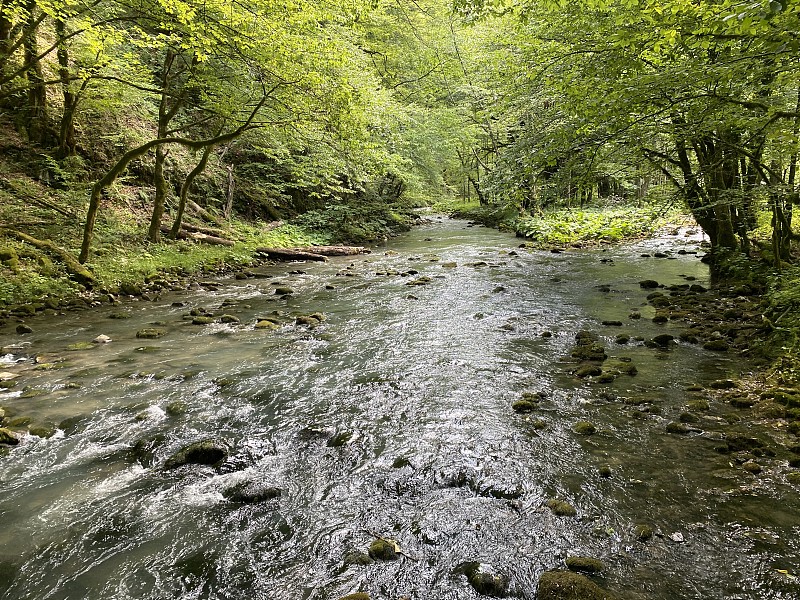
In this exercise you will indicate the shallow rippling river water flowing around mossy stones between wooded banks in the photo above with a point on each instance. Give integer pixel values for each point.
(391, 419)
